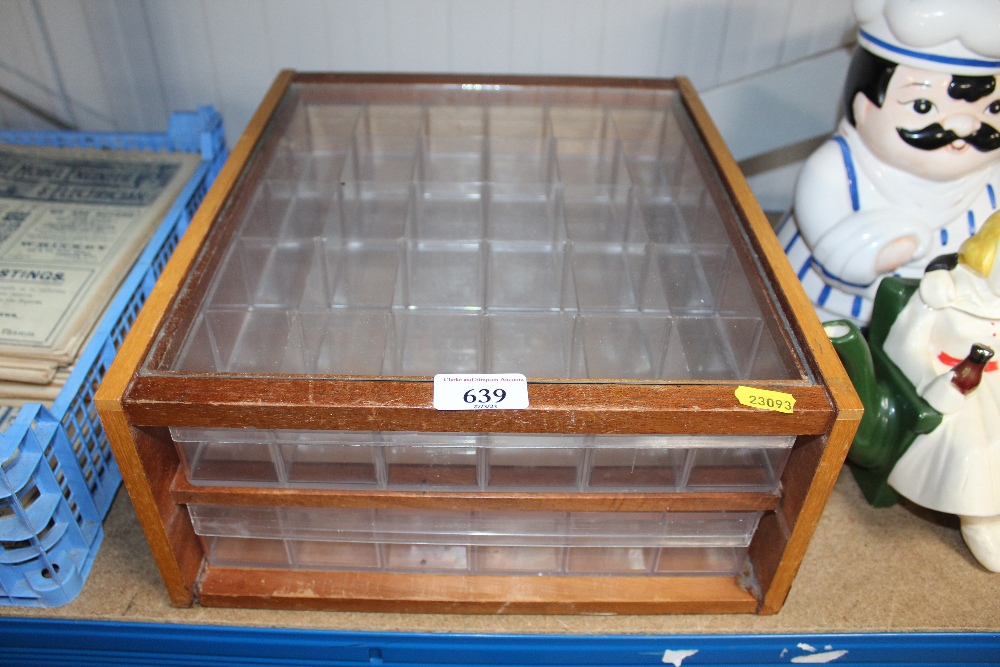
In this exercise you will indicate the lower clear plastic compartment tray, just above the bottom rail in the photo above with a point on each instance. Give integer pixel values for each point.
(538, 543)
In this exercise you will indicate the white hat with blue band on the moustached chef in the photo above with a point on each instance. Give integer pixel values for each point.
(954, 36)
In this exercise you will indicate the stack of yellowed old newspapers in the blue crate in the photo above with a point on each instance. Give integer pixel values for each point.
(72, 223)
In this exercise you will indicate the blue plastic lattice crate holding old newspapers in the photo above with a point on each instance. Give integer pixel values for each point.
(57, 473)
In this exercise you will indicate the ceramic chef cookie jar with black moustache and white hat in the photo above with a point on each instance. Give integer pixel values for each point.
(914, 167)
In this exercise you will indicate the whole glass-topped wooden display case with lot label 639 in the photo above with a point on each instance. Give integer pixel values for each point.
(593, 156)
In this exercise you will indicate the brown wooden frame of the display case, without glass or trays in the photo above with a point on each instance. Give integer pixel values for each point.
(136, 409)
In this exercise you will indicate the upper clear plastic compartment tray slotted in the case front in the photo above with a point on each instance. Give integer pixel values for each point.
(497, 461)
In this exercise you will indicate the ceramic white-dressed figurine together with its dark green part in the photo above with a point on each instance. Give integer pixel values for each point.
(931, 390)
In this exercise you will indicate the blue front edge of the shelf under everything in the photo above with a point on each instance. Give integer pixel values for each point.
(27, 641)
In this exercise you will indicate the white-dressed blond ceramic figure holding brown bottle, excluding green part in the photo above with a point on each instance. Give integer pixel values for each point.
(943, 341)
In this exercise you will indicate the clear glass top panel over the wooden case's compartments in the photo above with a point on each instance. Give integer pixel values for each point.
(406, 230)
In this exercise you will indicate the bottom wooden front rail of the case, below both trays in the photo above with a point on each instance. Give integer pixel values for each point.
(452, 593)
